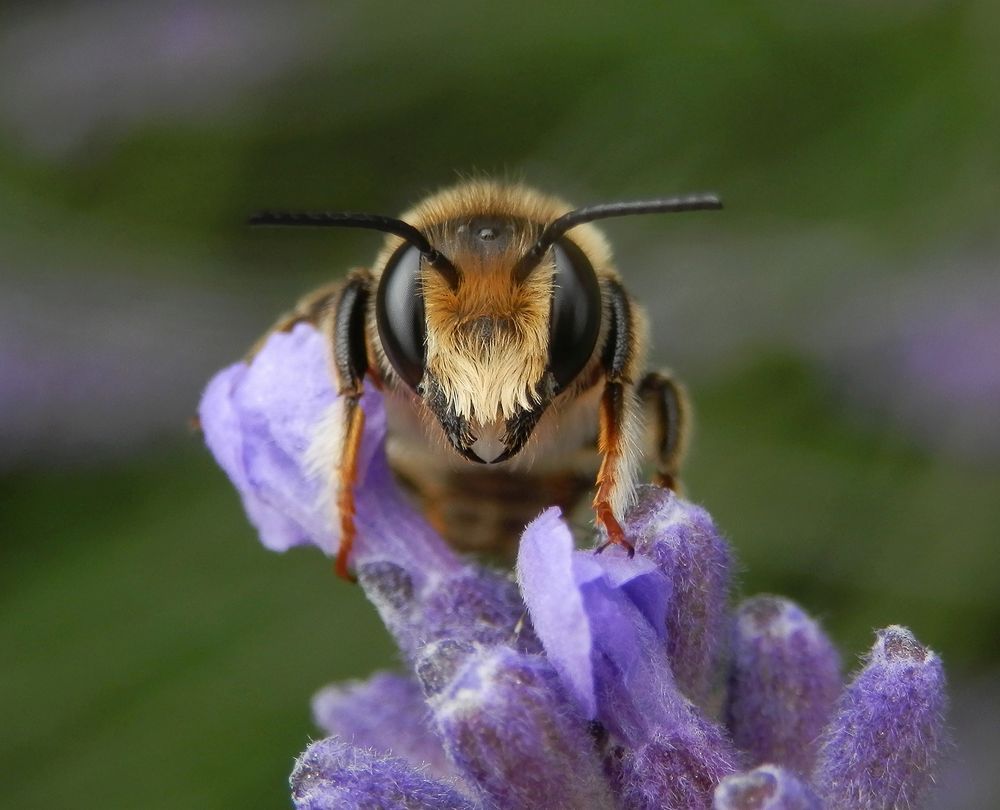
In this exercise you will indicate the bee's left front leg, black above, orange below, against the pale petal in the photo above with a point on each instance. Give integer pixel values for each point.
(344, 322)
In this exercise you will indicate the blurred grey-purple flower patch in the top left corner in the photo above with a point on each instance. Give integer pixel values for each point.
(179, 60)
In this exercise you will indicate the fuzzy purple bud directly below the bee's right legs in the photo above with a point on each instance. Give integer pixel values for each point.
(684, 543)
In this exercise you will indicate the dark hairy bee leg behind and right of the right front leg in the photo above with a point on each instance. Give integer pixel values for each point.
(668, 415)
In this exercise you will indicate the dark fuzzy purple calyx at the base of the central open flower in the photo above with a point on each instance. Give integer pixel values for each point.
(679, 767)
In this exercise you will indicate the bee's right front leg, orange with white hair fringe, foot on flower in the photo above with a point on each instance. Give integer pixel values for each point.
(618, 418)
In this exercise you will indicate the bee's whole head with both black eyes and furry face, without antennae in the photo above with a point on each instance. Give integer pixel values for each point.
(487, 355)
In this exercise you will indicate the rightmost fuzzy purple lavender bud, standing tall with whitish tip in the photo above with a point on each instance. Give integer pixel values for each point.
(886, 742)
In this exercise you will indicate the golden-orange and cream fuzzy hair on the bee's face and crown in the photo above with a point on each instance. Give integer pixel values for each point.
(487, 340)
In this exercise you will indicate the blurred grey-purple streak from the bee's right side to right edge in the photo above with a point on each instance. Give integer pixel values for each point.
(914, 343)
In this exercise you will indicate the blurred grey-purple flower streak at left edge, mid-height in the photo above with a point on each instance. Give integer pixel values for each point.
(99, 364)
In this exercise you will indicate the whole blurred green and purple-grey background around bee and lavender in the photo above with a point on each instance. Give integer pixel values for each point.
(838, 326)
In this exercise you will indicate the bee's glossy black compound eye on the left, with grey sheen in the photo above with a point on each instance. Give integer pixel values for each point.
(399, 315)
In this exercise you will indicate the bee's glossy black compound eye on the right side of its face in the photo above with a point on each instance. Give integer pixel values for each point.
(576, 313)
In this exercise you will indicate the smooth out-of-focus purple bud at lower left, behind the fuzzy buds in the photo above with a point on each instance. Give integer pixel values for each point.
(386, 713)
